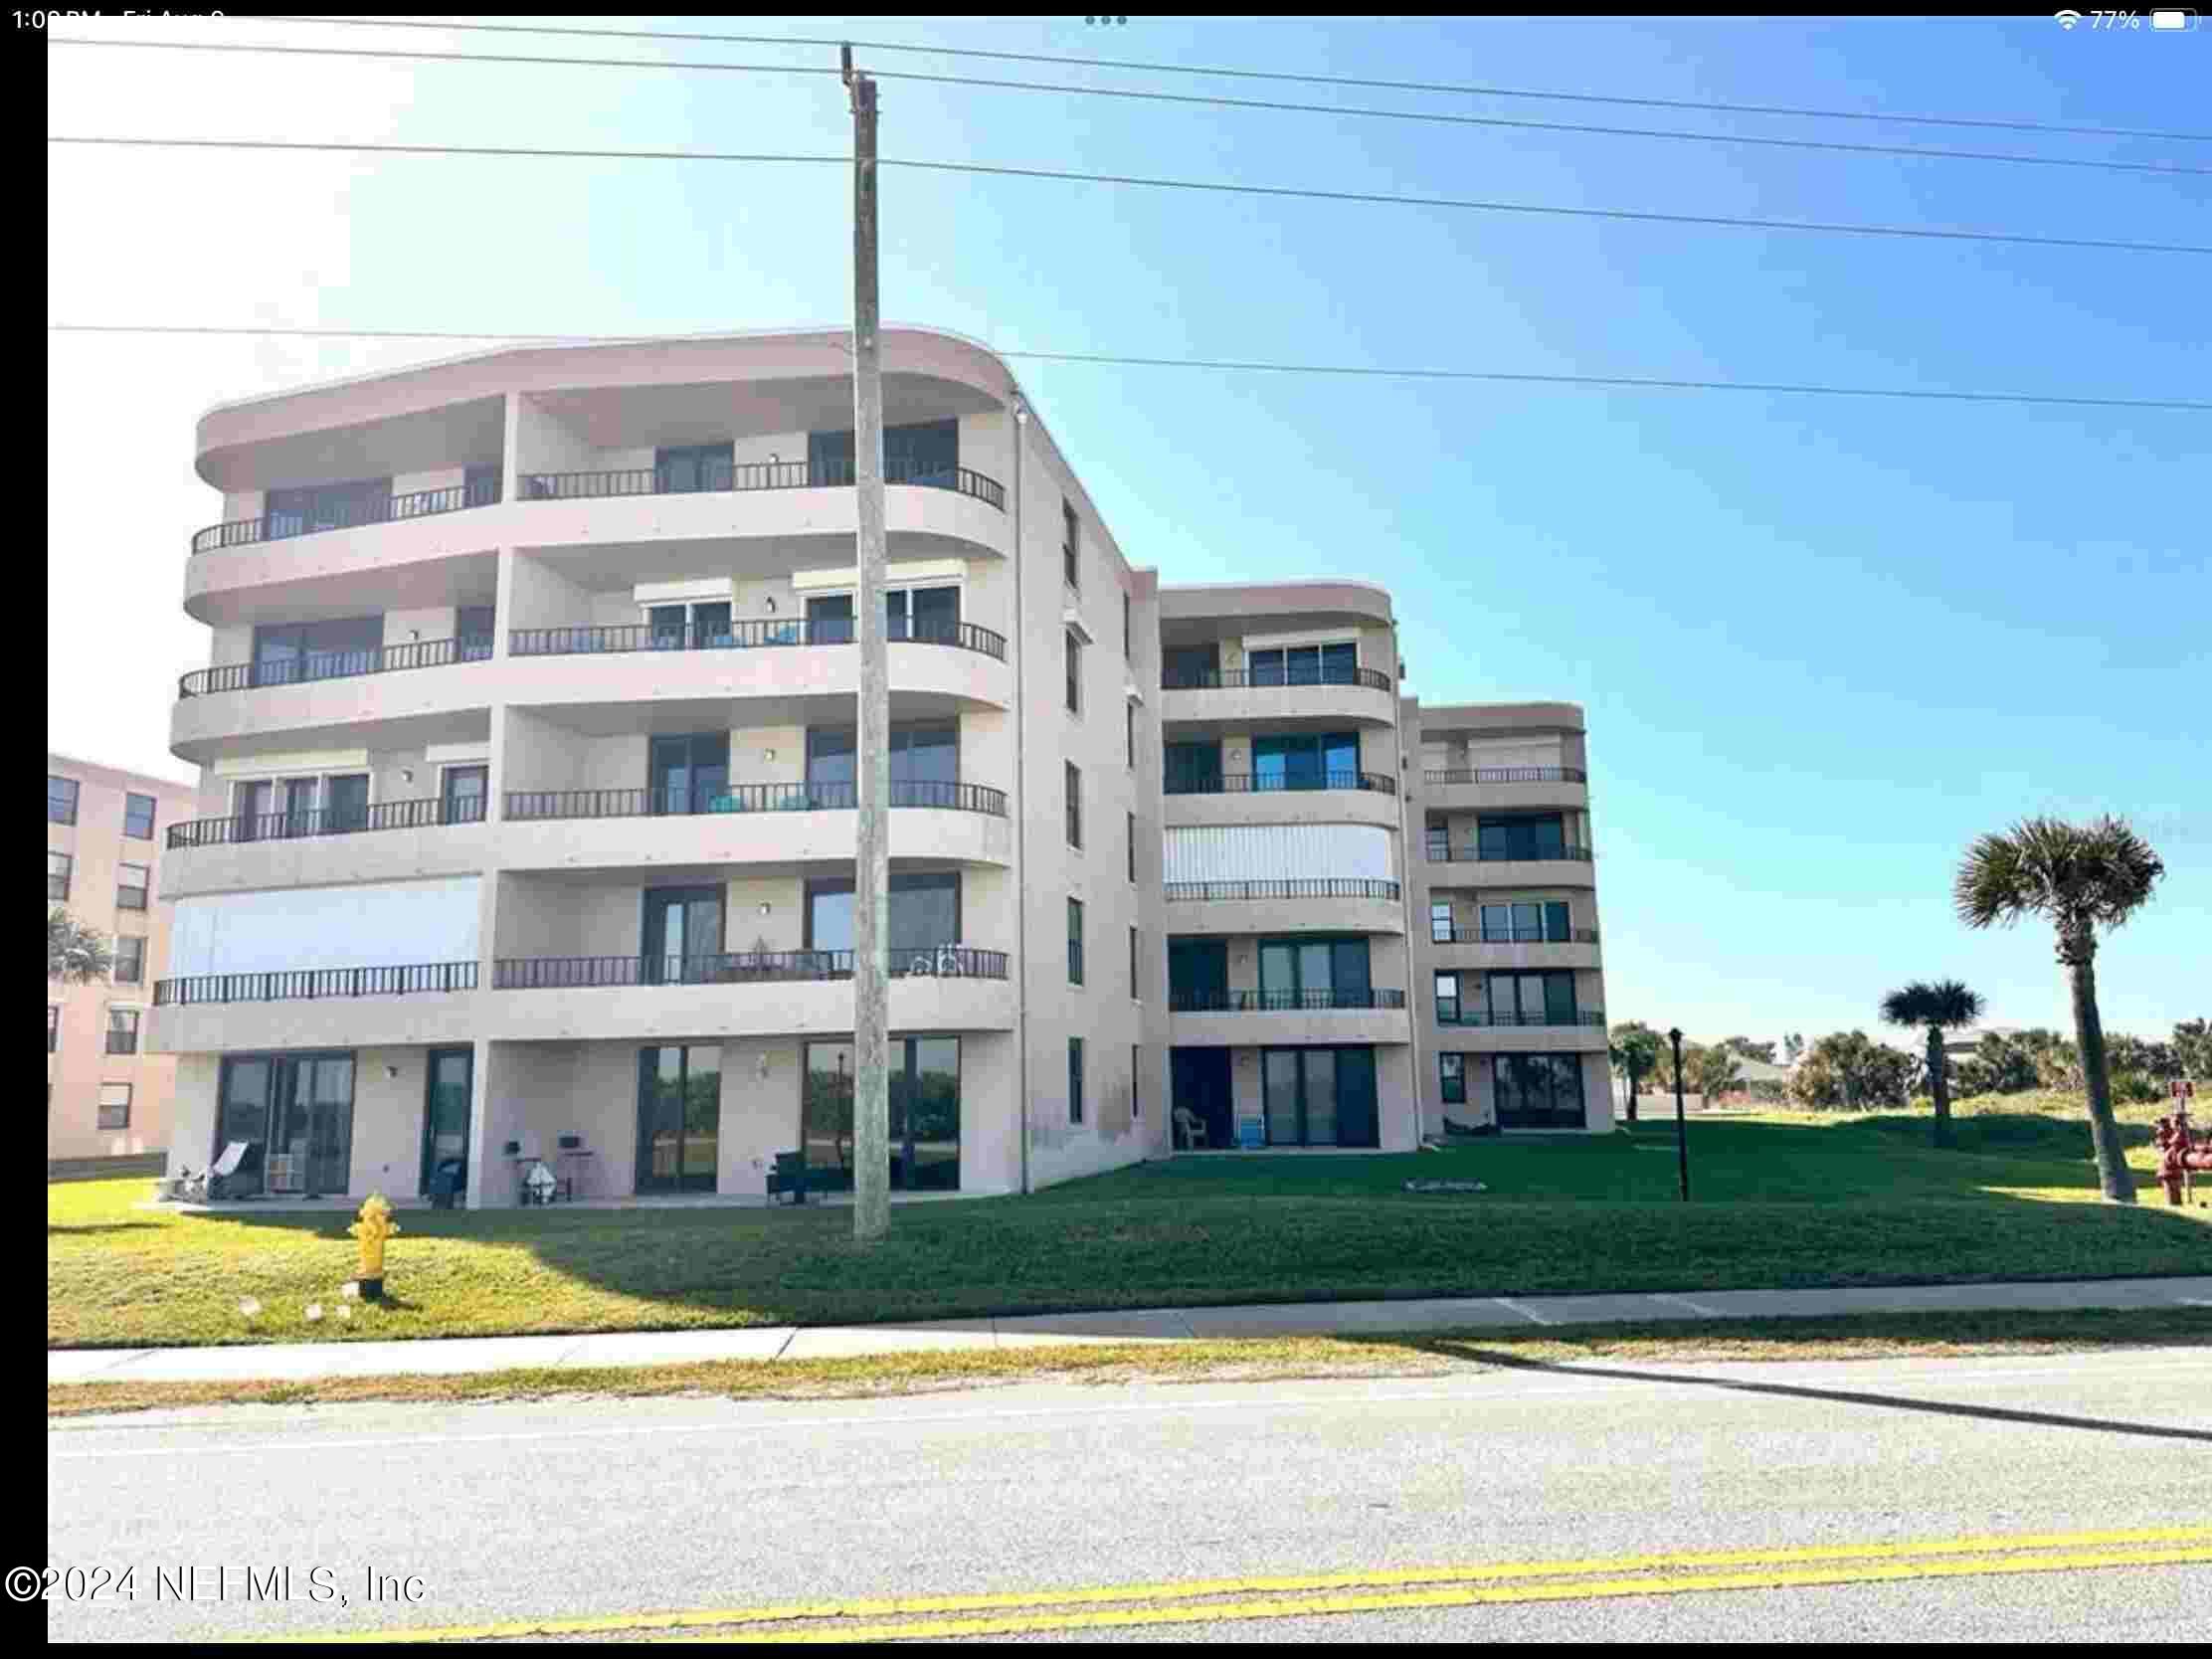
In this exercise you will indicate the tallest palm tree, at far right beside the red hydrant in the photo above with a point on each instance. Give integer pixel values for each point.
(2078, 877)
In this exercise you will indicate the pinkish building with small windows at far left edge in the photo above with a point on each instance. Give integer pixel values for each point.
(107, 1094)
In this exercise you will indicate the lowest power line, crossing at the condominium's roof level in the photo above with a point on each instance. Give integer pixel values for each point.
(1499, 377)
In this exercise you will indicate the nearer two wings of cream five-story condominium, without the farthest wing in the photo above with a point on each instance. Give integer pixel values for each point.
(528, 795)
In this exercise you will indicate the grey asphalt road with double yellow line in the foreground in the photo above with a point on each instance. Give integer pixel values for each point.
(2007, 1499)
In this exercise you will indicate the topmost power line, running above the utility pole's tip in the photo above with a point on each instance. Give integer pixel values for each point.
(1457, 90)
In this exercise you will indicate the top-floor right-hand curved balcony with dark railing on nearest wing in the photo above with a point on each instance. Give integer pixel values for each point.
(954, 508)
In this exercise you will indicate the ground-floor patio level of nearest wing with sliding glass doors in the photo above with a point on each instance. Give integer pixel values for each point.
(603, 1125)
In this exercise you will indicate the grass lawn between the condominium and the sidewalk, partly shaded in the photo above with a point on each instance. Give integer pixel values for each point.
(1780, 1200)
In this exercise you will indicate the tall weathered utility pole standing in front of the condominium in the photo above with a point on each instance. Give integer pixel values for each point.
(873, 853)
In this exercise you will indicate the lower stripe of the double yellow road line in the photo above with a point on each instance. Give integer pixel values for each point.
(1578, 1592)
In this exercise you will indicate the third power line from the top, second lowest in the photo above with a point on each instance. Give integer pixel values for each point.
(1461, 205)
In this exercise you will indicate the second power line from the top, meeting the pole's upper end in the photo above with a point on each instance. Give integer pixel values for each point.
(1187, 98)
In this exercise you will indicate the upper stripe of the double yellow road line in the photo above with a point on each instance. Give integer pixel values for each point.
(1200, 1589)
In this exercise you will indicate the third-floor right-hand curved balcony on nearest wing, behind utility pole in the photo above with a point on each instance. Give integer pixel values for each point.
(755, 824)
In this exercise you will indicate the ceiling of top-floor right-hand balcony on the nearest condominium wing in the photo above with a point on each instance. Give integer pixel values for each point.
(634, 417)
